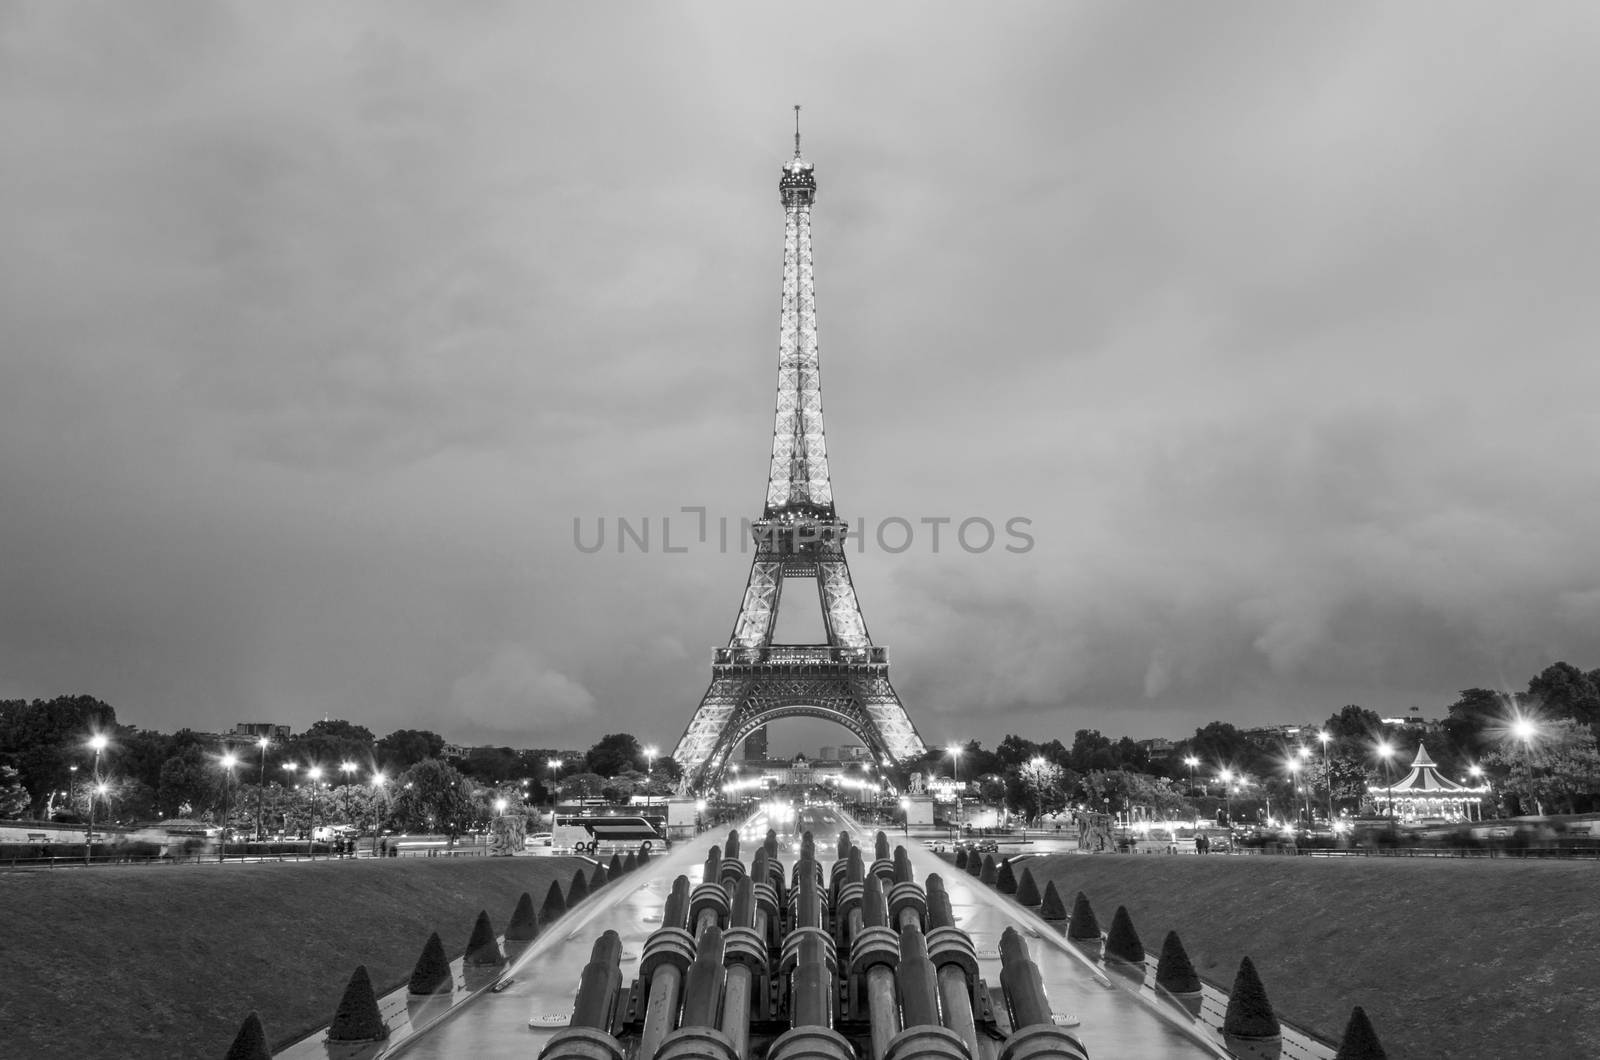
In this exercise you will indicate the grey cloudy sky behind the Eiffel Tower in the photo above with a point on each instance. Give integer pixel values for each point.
(322, 327)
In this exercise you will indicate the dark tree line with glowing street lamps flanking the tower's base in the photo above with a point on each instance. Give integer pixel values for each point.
(1538, 749)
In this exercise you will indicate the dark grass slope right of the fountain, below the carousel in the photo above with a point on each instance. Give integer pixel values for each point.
(1450, 958)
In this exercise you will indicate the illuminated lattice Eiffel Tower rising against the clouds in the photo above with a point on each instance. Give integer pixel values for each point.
(799, 536)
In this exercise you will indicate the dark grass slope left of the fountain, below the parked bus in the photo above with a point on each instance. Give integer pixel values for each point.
(167, 962)
